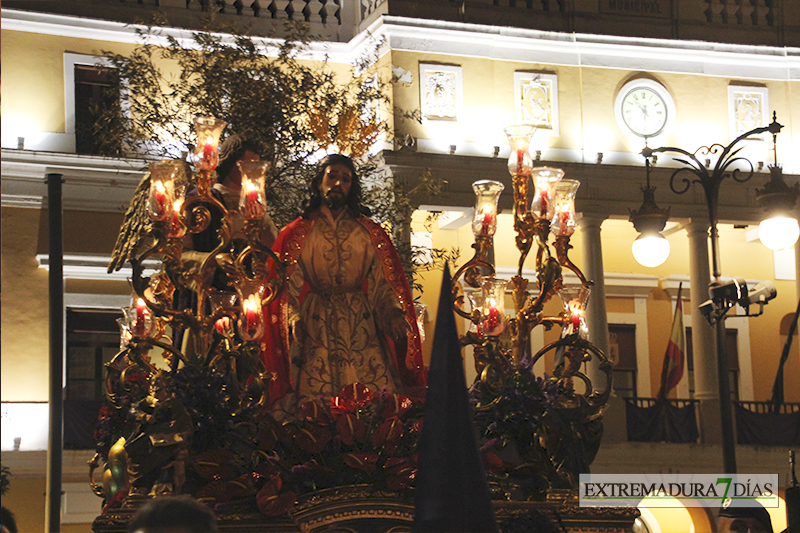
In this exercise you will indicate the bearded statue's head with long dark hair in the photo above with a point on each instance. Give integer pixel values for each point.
(336, 184)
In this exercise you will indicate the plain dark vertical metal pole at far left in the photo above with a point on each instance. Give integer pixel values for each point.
(56, 290)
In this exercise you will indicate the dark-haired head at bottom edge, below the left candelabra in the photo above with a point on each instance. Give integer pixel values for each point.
(174, 514)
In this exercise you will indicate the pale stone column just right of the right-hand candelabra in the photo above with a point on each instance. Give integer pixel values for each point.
(596, 316)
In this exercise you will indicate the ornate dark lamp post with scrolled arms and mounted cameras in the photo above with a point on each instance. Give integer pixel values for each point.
(725, 295)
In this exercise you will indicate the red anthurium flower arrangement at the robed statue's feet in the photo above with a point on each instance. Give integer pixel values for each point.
(256, 462)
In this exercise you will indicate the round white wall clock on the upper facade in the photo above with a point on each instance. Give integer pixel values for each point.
(645, 108)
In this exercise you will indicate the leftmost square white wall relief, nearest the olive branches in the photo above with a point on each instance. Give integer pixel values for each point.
(440, 91)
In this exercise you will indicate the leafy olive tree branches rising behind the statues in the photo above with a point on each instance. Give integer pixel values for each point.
(259, 86)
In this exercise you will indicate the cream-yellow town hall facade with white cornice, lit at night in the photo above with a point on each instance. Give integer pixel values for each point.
(469, 68)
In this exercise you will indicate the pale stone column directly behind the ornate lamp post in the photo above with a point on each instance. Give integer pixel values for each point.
(706, 387)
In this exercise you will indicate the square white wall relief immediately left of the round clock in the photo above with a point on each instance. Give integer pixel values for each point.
(536, 100)
